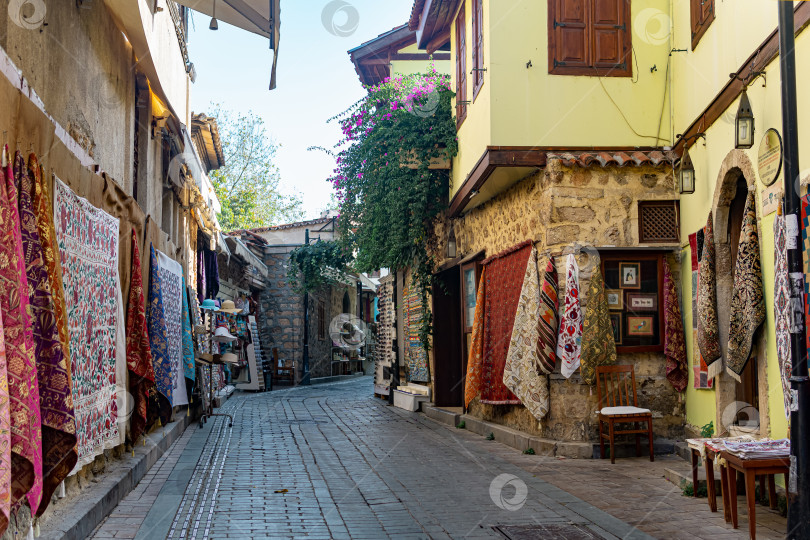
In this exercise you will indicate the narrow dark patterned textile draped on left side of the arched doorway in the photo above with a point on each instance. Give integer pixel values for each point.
(708, 323)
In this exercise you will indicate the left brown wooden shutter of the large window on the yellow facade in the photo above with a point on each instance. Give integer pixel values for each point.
(569, 32)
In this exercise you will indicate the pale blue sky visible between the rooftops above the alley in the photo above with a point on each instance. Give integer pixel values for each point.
(315, 80)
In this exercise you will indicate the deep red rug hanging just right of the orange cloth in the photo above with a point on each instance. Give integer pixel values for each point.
(505, 273)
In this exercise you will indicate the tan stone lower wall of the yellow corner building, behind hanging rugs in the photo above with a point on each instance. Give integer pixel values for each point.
(558, 208)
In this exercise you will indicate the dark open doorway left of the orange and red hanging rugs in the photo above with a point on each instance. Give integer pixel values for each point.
(447, 350)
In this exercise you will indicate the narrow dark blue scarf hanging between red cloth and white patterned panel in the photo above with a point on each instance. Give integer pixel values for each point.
(158, 344)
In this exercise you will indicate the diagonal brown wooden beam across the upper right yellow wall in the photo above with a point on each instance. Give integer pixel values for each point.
(766, 53)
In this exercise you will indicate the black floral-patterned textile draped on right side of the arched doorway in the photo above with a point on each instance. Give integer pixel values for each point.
(747, 300)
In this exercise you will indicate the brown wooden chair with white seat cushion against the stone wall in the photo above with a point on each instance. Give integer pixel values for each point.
(616, 391)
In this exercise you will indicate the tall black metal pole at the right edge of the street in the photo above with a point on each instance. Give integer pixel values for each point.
(799, 477)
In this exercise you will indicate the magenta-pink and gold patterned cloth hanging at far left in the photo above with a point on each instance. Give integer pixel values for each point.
(26, 432)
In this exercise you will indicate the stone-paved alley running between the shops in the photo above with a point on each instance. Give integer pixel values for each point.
(329, 461)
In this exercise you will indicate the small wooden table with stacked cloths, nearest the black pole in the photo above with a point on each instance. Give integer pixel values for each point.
(751, 468)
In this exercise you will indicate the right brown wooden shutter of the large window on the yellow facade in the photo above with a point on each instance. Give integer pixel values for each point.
(611, 49)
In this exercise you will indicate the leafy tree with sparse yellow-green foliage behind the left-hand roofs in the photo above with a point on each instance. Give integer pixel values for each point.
(248, 184)
